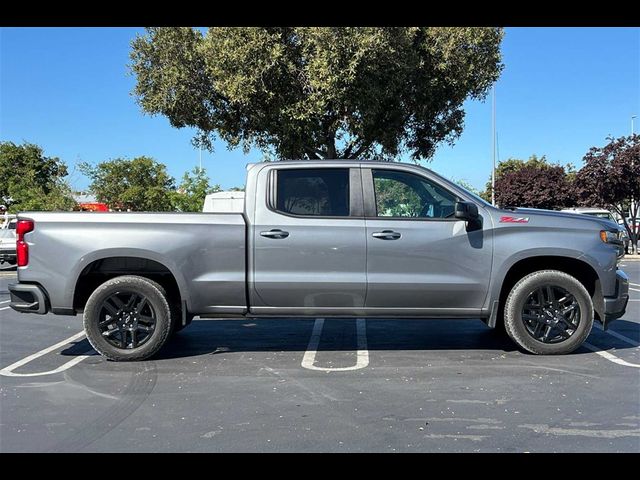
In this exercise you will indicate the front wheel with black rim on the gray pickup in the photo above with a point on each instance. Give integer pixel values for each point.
(525, 316)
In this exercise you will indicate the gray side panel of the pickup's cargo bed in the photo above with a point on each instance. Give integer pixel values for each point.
(205, 252)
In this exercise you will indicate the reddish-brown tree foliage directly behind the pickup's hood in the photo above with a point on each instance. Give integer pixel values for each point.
(533, 183)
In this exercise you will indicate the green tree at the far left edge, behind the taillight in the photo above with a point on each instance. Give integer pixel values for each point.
(29, 180)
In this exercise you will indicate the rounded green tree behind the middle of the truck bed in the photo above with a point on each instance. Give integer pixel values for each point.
(140, 184)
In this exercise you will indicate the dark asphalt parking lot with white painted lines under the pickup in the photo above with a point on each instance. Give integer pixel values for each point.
(313, 385)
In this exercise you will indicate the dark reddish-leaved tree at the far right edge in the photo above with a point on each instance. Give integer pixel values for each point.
(610, 178)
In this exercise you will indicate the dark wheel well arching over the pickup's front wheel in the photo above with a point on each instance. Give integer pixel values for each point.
(576, 268)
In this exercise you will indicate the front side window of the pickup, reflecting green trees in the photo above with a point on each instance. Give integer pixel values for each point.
(402, 194)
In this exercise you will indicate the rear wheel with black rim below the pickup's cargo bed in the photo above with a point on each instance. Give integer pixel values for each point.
(98, 320)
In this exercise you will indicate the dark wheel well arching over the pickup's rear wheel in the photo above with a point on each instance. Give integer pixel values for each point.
(99, 271)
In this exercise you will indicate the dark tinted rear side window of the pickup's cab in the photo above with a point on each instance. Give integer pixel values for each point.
(313, 192)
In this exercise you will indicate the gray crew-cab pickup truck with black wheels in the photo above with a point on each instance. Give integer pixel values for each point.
(325, 238)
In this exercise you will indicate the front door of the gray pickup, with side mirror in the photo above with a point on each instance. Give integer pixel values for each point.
(420, 259)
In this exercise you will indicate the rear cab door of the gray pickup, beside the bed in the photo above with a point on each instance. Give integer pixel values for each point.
(309, 241)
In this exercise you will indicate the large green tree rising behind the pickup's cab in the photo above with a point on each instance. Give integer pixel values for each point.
(317, 92)
